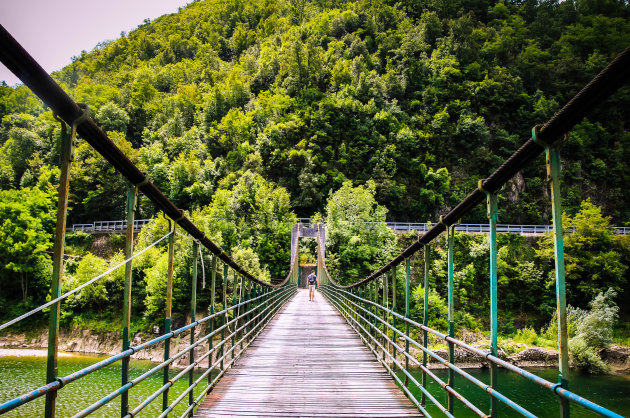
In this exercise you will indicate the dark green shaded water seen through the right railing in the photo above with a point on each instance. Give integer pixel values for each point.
(610, 391)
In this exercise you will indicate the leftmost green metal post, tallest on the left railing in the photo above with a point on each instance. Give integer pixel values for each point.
(67, 144)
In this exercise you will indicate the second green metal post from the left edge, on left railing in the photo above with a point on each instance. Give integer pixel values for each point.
(132, 199)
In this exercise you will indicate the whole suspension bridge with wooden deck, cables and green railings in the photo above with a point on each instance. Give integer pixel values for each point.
(259, 355)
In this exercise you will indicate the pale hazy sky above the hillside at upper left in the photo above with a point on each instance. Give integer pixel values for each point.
(53, 31)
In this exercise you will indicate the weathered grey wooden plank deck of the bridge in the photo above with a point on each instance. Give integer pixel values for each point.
(308, 362)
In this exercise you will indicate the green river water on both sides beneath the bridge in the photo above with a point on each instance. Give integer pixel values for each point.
(19, 375)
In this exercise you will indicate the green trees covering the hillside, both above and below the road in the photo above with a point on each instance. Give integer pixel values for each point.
(250, 113)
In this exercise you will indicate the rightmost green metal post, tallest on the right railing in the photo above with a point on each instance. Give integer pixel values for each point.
(553, 175)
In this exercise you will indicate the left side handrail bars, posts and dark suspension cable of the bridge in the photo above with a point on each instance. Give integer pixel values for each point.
(65, 109)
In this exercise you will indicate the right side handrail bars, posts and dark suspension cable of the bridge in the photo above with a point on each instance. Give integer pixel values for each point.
(543, 138)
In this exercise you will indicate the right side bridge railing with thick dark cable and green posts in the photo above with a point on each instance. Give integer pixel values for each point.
(372, 312)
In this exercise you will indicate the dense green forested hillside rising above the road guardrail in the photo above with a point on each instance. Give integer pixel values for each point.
(423, 97)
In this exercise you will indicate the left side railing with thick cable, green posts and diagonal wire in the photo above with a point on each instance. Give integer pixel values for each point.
(229, 331)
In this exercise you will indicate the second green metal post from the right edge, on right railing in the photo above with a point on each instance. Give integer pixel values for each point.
(493, 217)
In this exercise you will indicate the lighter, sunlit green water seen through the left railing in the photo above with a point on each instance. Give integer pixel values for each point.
(19, 375)
